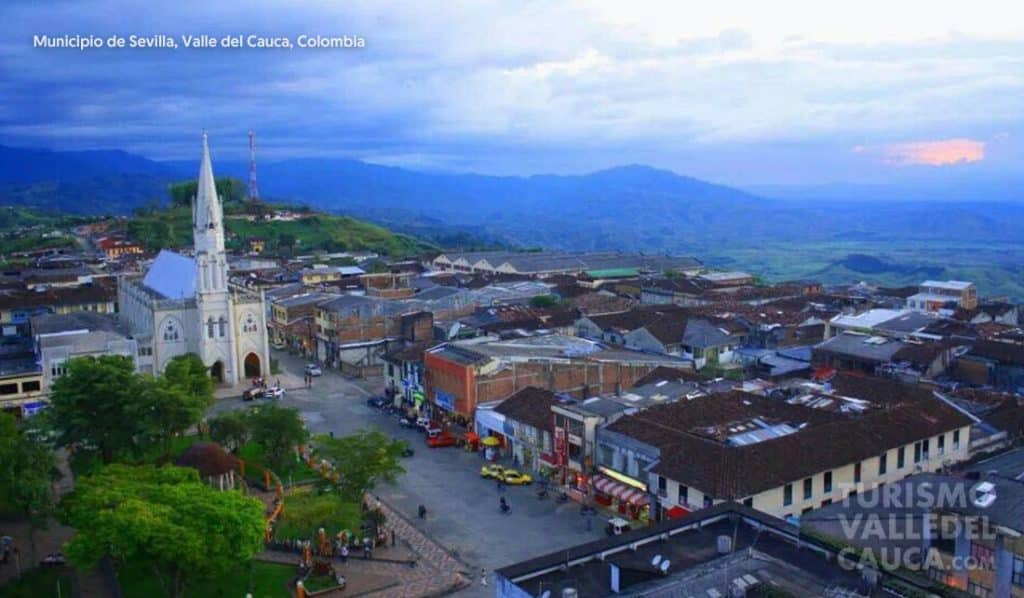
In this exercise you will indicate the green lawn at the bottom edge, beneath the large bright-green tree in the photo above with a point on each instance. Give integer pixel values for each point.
(262, 579)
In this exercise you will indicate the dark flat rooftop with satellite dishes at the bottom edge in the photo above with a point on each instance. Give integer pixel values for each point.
(688, 558)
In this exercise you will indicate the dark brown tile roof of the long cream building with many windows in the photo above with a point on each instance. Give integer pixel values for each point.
(829, 441)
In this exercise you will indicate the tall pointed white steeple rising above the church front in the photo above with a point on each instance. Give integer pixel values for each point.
(208, 229)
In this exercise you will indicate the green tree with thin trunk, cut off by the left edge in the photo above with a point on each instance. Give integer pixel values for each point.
(28, 468)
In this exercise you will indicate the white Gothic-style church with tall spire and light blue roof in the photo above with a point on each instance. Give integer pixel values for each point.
(185, 305)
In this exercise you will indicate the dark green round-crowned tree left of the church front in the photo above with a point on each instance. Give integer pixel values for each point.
(97, 406)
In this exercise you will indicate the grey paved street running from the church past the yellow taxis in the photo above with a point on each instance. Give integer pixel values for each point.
(463, 514)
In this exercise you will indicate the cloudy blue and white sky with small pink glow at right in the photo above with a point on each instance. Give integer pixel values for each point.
(741, 93)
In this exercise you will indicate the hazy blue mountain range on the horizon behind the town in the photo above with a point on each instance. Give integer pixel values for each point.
(633, 208)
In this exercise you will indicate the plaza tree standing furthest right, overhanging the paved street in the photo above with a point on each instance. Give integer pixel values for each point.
(364, 460)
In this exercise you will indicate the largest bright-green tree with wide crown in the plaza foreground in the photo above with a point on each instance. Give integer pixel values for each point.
(165, 518)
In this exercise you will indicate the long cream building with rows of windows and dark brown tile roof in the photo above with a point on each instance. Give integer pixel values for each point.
(783, 456)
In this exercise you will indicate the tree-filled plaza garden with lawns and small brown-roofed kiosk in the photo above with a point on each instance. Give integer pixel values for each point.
(165, 503)
